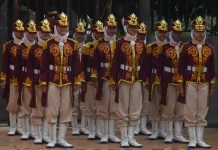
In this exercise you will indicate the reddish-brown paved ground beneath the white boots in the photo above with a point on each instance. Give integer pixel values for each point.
(81, 142)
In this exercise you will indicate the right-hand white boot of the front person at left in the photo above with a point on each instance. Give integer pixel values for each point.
(62, 136)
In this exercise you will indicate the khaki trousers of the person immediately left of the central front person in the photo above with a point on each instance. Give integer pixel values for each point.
(106, 107)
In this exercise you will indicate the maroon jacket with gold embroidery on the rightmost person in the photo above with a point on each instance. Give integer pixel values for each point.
(190, 57)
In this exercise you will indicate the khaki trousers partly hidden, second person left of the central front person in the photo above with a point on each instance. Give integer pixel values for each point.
(90, 101)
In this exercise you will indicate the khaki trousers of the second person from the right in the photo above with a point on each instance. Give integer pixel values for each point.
(173, 110)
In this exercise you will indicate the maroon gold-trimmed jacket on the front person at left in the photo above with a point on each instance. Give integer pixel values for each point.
(51, 58)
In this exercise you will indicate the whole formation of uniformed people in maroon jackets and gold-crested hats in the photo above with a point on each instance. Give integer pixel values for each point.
(50, 80)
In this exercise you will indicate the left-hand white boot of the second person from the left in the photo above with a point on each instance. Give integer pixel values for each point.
(26, 128)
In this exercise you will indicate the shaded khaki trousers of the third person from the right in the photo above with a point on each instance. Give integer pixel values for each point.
(155, 106)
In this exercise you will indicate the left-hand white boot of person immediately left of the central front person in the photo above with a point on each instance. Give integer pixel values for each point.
(104, 130)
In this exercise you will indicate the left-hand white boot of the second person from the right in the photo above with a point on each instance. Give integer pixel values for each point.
(169, 132)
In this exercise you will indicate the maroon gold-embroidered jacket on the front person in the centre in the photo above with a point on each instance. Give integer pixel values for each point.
(123, 56)
